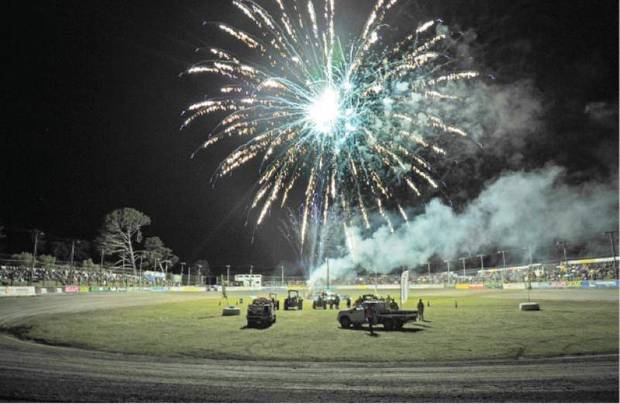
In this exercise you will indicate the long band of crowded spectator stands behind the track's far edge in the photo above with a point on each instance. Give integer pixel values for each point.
(585, 269)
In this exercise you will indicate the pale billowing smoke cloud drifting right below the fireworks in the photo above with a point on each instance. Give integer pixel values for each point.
(519, 209)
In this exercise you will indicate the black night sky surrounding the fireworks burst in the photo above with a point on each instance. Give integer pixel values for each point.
(92, 112)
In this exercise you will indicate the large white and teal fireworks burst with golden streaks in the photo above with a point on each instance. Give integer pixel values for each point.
(351, 124)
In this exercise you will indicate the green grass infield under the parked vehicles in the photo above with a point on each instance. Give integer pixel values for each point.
(485, 325)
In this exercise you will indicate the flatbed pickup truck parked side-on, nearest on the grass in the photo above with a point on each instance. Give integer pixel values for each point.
(390, 318)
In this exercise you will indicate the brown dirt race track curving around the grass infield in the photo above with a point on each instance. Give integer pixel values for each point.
(35, 372)
